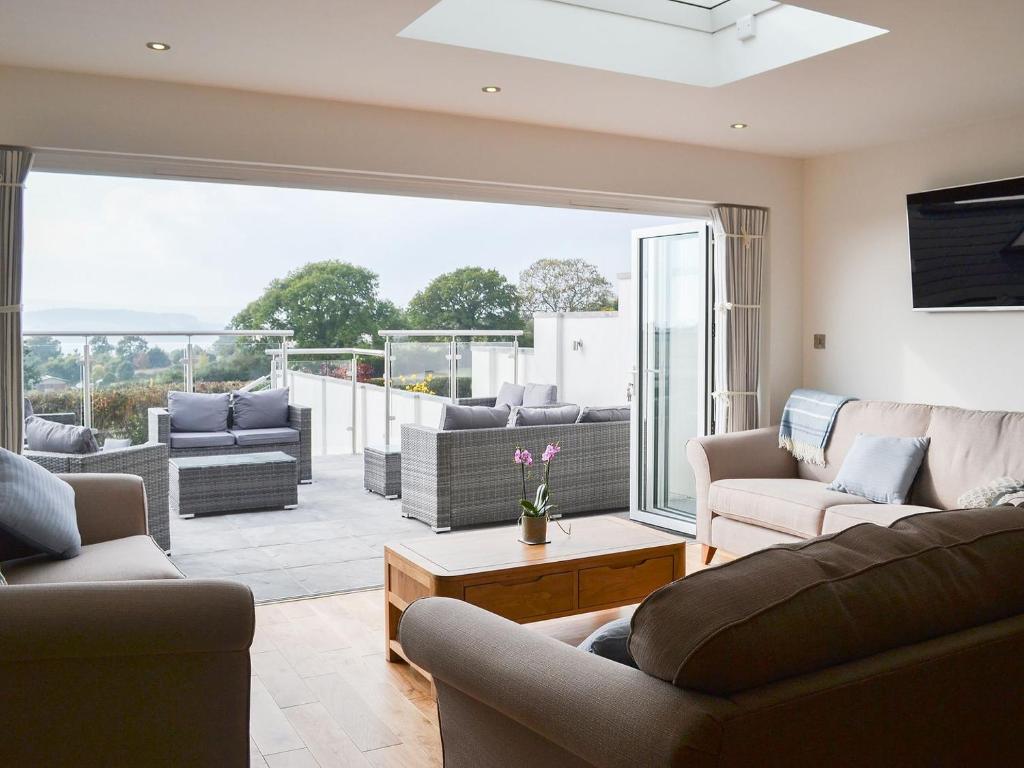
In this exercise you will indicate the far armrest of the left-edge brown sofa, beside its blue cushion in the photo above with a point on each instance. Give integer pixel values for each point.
(109, 506)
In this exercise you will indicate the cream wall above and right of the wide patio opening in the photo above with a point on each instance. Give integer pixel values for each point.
(69, 114)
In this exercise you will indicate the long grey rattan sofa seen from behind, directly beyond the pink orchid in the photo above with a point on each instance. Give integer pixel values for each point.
(452, 480)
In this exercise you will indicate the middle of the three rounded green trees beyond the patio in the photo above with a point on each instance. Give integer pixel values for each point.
(468, 298)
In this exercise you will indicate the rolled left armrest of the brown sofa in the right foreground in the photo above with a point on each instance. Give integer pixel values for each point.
(610, 715)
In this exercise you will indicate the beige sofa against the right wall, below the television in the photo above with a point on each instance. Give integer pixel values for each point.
(751, 494)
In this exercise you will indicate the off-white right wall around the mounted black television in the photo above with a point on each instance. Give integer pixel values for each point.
(858, 277)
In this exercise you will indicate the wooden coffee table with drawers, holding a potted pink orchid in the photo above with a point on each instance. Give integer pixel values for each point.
(608, 563)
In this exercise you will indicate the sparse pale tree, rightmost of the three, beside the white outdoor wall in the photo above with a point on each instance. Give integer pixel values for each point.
(565, 286)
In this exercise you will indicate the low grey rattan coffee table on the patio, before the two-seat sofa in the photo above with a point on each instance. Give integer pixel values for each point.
(201, 485)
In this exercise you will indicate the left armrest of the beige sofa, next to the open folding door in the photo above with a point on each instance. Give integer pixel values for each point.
(754, 453)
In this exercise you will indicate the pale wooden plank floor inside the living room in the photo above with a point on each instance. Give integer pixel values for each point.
(323, 697)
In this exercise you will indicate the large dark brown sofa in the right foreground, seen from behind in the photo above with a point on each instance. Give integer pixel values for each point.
(874, 647)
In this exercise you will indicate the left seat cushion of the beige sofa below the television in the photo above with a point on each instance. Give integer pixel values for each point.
(789, 505)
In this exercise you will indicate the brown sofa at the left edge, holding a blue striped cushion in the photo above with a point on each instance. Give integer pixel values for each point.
(113, 658)
